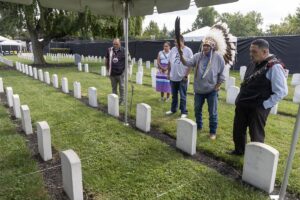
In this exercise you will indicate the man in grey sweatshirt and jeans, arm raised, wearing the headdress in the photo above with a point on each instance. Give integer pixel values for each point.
(209, 66)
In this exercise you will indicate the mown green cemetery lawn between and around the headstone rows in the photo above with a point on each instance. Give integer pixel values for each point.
(118, 162)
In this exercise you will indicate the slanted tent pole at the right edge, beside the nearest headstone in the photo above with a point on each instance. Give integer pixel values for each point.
(291, 157)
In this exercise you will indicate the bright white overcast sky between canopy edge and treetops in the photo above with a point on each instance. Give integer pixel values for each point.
(273, 11)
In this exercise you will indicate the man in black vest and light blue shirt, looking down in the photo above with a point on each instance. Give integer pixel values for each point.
(263, 87)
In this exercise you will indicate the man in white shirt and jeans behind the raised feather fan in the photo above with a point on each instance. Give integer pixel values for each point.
(178, 75)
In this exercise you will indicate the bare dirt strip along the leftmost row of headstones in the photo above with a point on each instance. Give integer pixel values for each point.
(51, 170)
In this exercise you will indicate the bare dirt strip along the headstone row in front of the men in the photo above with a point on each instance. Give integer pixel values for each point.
(201, 156)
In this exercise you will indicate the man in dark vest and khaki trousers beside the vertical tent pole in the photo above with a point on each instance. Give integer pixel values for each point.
(115, 65)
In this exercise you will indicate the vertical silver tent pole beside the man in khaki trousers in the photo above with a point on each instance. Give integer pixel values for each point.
(125, 22)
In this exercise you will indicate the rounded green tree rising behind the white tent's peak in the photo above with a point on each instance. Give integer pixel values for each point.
(206, 17)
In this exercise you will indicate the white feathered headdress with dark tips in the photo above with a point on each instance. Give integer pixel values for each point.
(218, 38)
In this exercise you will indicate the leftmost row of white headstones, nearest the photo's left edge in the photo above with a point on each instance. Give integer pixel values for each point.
(70, 162)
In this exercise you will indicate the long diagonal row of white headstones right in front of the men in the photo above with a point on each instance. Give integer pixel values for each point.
(260, 162)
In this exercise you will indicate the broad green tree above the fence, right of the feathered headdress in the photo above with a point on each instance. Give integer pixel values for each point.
(243, 25)
